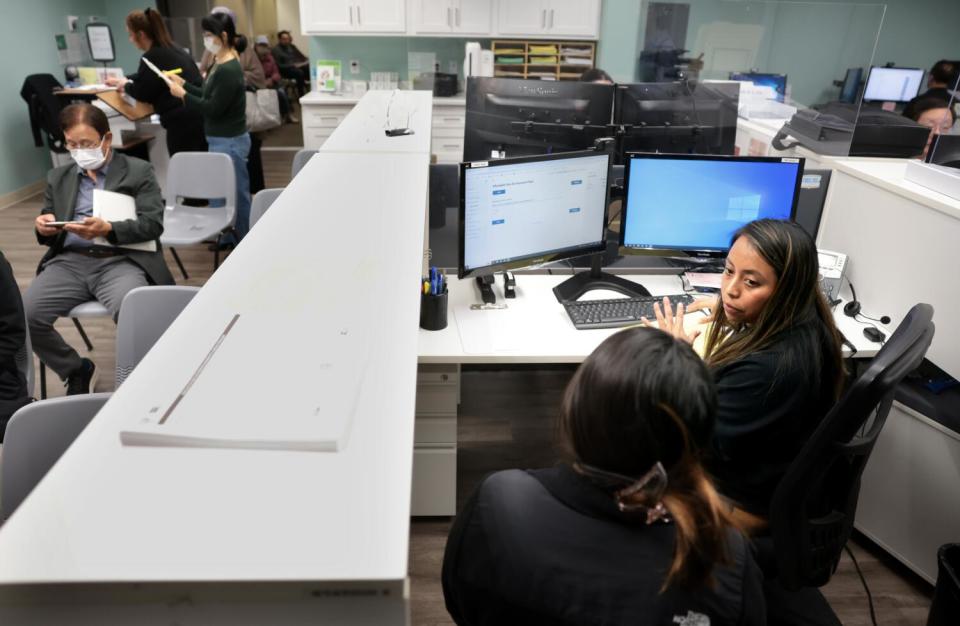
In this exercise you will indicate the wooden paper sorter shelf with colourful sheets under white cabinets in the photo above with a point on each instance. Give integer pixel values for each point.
(556, 56)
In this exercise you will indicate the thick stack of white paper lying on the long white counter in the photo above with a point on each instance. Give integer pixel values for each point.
(253, 389)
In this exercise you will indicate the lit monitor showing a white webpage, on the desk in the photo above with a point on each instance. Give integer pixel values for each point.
(531, 210)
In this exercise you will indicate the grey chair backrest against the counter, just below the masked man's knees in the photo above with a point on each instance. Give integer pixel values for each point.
(145, 314)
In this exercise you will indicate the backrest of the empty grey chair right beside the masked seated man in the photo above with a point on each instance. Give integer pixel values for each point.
(206, 175)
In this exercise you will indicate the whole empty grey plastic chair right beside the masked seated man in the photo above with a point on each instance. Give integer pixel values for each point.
(207, 175)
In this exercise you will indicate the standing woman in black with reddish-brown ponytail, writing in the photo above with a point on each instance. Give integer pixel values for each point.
(184, 126)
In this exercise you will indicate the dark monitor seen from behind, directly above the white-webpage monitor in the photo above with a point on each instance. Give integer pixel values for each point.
(510, 117)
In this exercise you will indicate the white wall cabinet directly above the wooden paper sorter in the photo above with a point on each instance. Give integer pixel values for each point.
(576, 19)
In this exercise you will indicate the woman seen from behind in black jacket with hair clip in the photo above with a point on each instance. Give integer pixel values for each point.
(630, 530)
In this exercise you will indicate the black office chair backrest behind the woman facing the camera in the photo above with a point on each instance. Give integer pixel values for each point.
(813, 507)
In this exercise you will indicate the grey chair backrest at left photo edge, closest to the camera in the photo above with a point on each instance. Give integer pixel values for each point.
(37, 435)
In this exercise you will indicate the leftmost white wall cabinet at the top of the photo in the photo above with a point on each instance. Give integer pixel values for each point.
(352, 16)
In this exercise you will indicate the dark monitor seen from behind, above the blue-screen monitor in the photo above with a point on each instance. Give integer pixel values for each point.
(678, 118)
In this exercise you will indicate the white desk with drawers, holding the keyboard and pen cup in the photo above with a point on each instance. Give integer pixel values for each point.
(533, 329)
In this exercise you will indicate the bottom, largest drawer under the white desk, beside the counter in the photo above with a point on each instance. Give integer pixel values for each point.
(434, 481)
